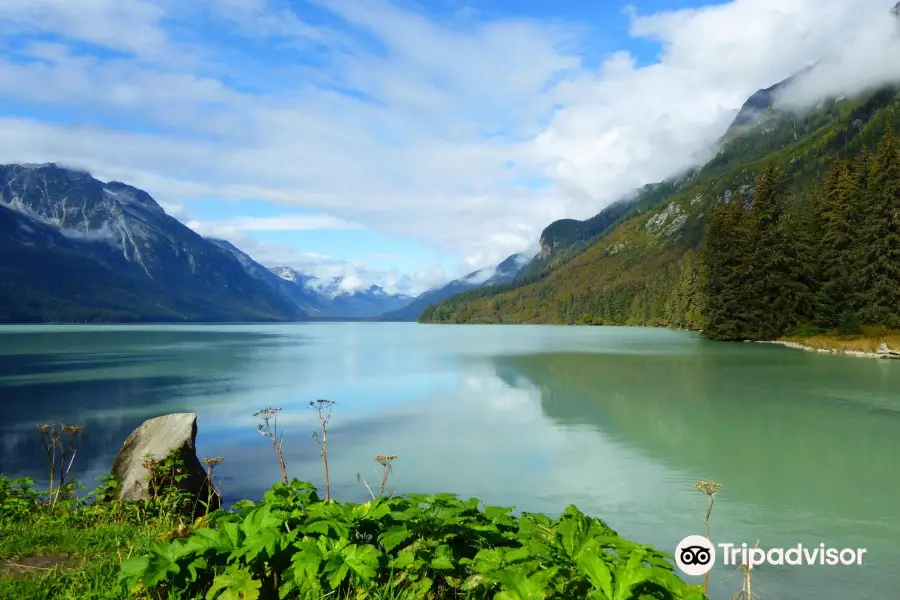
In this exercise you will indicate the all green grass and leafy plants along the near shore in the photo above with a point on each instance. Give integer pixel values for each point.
(292, 544)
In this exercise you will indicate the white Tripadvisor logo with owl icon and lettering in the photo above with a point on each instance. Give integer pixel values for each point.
(696, 555)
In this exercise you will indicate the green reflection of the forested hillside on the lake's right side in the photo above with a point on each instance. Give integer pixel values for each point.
(805, 445)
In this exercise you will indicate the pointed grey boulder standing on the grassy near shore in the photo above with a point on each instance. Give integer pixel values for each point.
(174, 434)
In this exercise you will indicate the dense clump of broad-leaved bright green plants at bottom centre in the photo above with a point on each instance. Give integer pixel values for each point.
(294, 545)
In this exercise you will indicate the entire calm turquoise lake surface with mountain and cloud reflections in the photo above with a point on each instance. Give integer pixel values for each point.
(618, 421)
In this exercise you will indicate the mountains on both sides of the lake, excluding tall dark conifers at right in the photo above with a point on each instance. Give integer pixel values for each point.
(75, 249)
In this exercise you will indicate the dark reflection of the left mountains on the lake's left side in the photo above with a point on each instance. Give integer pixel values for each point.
(110, 383)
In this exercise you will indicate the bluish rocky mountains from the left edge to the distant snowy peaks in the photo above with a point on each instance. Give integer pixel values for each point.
(76, 249)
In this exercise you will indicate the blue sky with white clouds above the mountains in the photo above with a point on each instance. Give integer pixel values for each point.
(399, 143)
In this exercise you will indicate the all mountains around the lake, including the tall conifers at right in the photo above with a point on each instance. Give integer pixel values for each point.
(790, 230)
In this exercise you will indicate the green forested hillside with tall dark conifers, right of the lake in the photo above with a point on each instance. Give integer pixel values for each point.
(778, 234)
